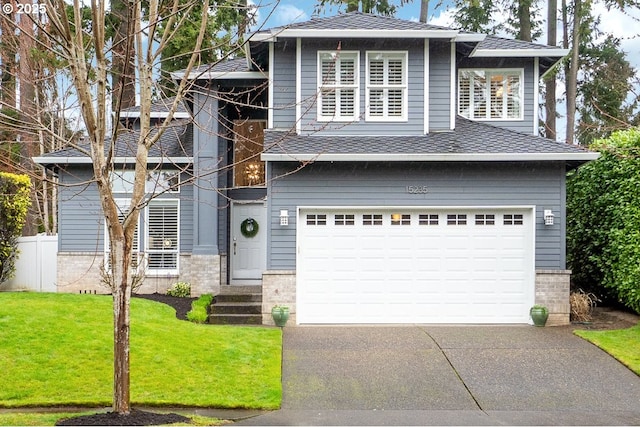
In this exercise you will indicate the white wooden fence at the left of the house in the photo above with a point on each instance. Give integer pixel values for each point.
(36, 266)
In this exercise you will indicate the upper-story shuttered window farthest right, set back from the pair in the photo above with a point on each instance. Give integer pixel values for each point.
(490, 94)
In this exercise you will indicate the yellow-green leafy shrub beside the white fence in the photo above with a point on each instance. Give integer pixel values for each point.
(14, 203)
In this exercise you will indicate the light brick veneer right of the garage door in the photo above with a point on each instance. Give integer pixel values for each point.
(552, 291)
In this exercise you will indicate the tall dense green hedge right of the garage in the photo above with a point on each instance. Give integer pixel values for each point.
(603, 220)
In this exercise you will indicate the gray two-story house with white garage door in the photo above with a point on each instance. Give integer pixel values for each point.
(360, 169)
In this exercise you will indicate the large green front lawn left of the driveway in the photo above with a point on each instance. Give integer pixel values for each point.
(57, 349)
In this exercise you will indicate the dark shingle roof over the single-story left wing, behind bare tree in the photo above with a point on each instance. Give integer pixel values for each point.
(175, 142)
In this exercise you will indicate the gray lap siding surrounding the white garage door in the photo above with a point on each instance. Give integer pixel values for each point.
(449, 184)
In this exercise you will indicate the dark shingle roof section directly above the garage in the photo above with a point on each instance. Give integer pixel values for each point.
(469, 137)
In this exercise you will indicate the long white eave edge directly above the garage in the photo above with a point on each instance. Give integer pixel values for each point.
(420, 157)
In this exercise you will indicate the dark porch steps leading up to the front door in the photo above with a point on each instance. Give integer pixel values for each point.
(237, 305)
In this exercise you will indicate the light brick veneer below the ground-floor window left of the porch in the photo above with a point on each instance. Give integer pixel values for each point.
(79, 272)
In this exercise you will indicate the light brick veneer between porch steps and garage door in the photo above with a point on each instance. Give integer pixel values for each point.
(278, 288)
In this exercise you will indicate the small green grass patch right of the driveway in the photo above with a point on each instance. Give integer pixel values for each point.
(623, 344)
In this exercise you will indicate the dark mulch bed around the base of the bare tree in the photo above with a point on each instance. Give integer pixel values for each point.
(135, 418)
